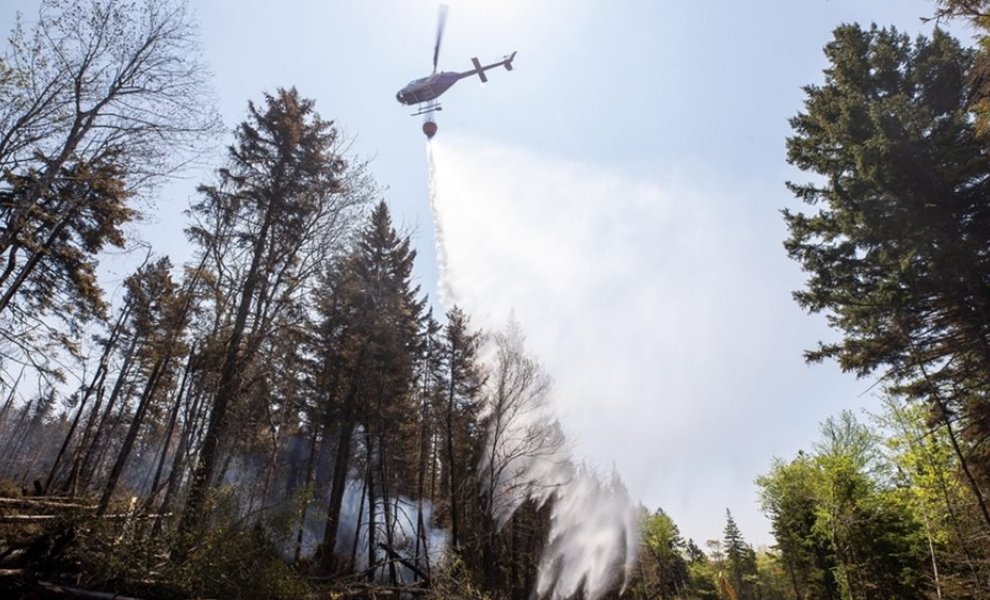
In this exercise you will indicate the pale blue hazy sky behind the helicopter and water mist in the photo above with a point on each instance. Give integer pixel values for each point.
(618, 191)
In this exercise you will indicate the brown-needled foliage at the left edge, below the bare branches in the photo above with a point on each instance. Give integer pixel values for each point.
(49, 270)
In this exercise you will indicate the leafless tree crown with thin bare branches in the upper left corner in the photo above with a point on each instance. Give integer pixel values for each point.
(91, 79)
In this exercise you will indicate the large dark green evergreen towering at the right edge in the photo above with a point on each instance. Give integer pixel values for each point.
(896, 252)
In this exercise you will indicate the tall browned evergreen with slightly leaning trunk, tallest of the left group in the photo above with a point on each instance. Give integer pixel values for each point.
(281, 182)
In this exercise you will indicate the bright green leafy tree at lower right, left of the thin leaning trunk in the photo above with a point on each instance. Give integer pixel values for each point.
(843, 528)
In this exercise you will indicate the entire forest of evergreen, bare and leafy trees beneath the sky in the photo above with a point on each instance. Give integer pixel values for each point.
(284, 416)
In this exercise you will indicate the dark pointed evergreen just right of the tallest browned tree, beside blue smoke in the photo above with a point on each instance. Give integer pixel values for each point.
(379, 341)
